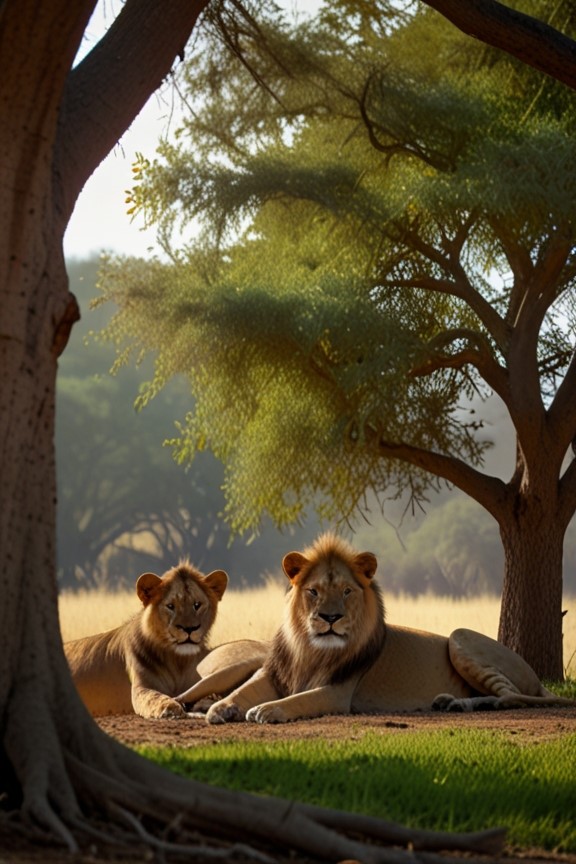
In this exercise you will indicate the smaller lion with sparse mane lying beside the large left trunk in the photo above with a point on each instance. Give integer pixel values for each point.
(142, 665)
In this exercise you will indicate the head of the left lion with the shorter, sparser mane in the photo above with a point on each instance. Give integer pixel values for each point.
(180, 607)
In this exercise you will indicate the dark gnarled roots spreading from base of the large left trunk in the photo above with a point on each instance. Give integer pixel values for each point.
(96, 791)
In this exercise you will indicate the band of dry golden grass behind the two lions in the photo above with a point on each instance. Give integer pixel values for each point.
(255, 613)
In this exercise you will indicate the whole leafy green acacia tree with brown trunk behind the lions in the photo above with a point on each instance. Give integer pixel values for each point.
(407, 203)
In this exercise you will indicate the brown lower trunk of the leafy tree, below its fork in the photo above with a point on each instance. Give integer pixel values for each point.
(531, 607)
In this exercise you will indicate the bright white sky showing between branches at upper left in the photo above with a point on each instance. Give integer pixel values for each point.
(100, 222)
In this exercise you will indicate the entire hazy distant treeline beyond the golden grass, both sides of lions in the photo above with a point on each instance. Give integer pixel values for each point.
(125, 506)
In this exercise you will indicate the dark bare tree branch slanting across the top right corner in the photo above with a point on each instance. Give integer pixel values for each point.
(532, 41)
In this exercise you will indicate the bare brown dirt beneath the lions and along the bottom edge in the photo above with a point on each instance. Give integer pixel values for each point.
(530, 725)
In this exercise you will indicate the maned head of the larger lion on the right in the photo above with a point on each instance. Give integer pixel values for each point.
(333, 604)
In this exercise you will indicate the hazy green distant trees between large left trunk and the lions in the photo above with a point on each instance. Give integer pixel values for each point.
(124, 505)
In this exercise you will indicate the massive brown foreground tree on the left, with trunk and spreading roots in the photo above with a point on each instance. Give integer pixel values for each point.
(61, 778)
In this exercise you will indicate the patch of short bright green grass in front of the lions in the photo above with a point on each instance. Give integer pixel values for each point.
(454, 781)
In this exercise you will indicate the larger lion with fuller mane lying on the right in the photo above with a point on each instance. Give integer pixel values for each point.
(334, 654)
